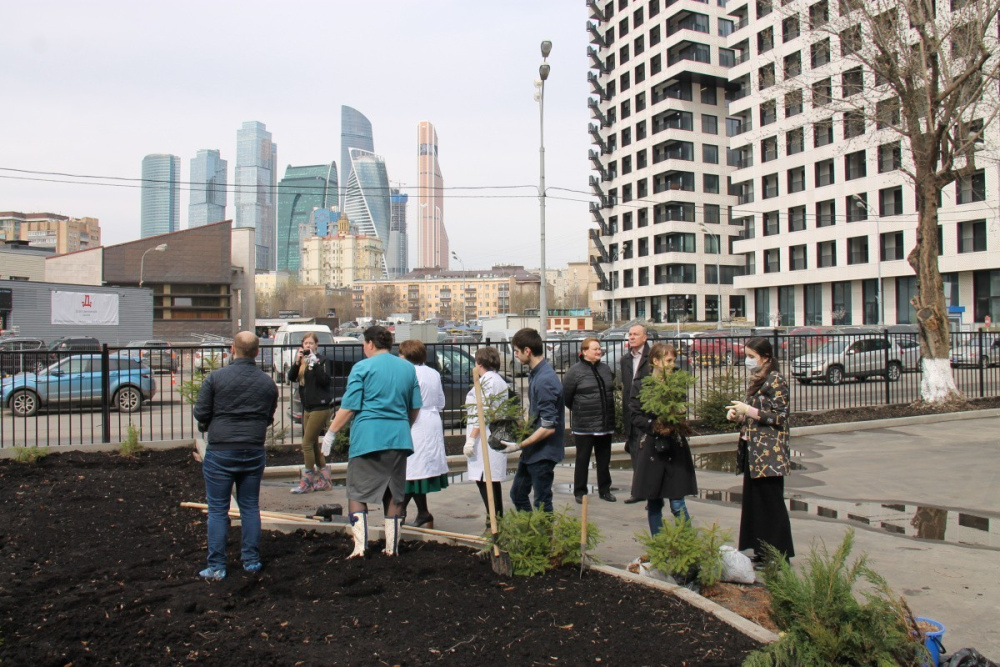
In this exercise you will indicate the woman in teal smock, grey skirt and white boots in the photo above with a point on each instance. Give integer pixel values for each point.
(383, 398)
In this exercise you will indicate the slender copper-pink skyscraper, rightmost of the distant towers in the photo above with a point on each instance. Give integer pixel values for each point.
(432, 239)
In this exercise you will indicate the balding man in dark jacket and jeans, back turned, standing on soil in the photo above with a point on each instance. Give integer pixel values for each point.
(236, 404)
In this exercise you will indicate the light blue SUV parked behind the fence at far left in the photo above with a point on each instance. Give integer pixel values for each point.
(76, 380)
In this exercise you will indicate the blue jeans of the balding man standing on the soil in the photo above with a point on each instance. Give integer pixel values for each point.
(222, 469)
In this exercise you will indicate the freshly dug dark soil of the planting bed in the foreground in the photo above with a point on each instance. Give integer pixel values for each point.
(98, 565)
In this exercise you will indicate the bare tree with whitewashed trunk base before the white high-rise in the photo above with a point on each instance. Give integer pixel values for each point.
(932, 83)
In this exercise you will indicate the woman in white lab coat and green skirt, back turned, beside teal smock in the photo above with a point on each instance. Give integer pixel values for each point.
(427, 467)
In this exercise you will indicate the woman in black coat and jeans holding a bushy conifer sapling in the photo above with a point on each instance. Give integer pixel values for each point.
(664, 467)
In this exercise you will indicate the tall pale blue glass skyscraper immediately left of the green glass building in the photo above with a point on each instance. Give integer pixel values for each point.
(256, 180)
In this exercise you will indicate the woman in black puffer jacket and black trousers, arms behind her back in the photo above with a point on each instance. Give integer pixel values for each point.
(588, 389)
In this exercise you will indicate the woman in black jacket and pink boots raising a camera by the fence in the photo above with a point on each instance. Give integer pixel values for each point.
(309, 372)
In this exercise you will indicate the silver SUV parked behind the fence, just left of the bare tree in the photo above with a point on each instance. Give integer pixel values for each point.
(844, 358)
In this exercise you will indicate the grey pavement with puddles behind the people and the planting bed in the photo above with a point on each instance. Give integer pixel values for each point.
(941, 465)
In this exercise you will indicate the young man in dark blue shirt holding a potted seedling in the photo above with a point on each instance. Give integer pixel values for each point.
(544, 448)
